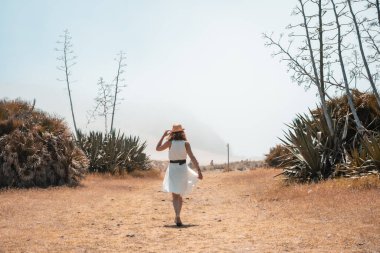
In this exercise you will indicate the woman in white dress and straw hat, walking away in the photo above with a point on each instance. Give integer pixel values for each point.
(179, 179)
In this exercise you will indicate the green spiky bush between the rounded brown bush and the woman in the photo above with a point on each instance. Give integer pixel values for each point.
(114, 153)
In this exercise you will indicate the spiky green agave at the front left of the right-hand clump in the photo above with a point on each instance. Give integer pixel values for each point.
(313, 151)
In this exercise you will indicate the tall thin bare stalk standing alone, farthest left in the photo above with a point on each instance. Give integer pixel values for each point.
(67, 59)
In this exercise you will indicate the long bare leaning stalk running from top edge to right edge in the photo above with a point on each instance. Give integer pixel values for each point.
(368, 73)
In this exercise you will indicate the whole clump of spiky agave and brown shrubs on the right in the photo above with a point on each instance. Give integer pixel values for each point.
(315, 154)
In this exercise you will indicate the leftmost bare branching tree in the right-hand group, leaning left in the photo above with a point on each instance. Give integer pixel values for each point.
(303, 63)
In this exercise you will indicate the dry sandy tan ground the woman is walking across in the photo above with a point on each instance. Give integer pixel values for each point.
(238, 211)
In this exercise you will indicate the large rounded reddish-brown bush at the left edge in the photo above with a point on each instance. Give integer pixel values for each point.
(36, 149)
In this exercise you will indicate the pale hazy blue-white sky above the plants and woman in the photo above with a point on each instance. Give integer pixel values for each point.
(201, 63)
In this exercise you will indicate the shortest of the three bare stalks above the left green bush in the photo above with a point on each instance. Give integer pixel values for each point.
(103, 103)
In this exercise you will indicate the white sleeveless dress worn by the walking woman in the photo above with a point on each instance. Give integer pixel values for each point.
(179, 179)
